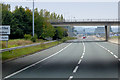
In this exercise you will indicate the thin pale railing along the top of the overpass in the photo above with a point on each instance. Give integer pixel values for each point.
(85, 20)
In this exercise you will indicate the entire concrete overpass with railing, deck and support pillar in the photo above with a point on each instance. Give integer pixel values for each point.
(88, 22)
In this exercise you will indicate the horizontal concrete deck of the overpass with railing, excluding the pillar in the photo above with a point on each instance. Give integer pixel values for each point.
(88, 22)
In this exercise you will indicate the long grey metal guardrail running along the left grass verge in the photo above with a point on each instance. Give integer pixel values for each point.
(9, 49)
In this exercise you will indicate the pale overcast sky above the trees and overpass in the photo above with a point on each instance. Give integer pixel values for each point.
(79, 9)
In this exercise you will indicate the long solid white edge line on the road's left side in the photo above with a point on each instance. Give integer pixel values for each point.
(36, 62)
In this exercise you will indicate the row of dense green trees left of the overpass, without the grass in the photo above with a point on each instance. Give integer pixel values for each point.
(20, 21)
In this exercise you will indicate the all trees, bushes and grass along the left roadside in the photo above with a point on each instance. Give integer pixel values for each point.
(20, 21)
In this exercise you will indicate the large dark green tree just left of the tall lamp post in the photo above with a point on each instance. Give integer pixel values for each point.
(20, 23)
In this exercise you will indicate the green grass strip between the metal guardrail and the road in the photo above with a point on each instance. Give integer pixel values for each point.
(30, 50)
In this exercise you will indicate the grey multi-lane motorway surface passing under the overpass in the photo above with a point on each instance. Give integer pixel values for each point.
(80, 59)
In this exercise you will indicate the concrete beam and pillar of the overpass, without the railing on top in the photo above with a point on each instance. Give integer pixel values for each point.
(106, 24)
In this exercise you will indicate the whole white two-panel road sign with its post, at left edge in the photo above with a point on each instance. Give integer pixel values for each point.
(4, 32)
